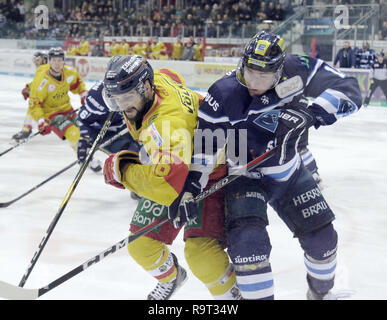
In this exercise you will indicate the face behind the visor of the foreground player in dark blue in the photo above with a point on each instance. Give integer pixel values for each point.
(258, 82)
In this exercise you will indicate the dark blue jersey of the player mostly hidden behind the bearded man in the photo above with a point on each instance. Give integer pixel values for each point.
(93, 114)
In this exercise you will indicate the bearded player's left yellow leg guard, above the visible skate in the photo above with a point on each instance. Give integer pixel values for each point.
(154, 257)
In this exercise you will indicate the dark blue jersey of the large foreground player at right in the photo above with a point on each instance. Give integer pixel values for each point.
(230, 117)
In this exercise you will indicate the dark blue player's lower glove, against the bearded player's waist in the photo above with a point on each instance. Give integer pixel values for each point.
(184, 208)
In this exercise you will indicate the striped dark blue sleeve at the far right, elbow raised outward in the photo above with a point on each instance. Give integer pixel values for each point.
(336, 95)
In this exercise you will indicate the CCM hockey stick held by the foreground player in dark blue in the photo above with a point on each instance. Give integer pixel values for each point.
(13, 292)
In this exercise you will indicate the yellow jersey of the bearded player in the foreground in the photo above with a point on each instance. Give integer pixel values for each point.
(167, 133)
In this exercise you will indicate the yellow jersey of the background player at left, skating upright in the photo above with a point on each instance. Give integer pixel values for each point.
(49, 95)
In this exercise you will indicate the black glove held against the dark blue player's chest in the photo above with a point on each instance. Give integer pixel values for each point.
(293, 122)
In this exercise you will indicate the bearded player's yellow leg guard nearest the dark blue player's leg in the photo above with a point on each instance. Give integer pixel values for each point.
(210, 264)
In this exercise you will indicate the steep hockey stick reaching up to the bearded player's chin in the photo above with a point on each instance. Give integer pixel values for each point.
(64, 203)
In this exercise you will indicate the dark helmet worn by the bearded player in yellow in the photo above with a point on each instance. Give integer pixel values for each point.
(125, 73)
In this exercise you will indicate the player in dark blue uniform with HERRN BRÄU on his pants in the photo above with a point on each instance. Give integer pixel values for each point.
(262, 104)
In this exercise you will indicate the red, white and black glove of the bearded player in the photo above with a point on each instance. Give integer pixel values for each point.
(114, 165)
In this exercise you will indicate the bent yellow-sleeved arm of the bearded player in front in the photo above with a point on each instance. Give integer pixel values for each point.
(169, 158)
